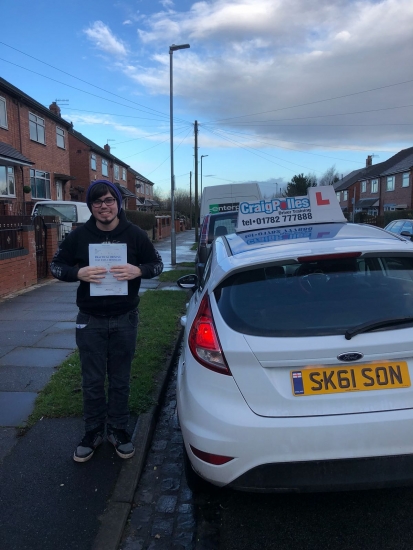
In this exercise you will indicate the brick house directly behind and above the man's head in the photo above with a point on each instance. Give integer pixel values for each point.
(89, 162)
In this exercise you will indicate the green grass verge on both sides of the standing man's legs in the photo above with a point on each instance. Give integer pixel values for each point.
(159, 314)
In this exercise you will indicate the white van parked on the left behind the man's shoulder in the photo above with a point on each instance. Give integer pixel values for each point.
(69, 212)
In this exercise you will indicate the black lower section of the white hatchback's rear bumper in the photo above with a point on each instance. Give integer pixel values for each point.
(328, 475)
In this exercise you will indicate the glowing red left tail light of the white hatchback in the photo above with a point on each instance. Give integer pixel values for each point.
(204, 342)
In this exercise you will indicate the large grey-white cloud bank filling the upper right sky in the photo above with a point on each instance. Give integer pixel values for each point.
(300, 65)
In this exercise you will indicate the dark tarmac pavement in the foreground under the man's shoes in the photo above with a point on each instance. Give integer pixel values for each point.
(56, 505)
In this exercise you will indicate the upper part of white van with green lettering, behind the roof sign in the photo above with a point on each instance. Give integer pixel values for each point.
(226, 198)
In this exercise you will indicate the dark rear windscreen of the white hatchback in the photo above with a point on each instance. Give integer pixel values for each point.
(317, 298)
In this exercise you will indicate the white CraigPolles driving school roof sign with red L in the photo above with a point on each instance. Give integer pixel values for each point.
(319, 206)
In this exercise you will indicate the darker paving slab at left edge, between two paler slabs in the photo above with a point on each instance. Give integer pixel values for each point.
(18, 379)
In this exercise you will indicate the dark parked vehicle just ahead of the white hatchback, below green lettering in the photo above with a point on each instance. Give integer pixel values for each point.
(213, 226)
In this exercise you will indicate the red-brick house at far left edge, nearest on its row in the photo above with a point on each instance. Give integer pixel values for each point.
(34, 151)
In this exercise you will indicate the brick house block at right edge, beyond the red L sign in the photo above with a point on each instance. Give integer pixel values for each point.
(378, 188)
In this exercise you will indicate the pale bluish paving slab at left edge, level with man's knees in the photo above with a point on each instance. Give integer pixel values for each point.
(35, 357)
